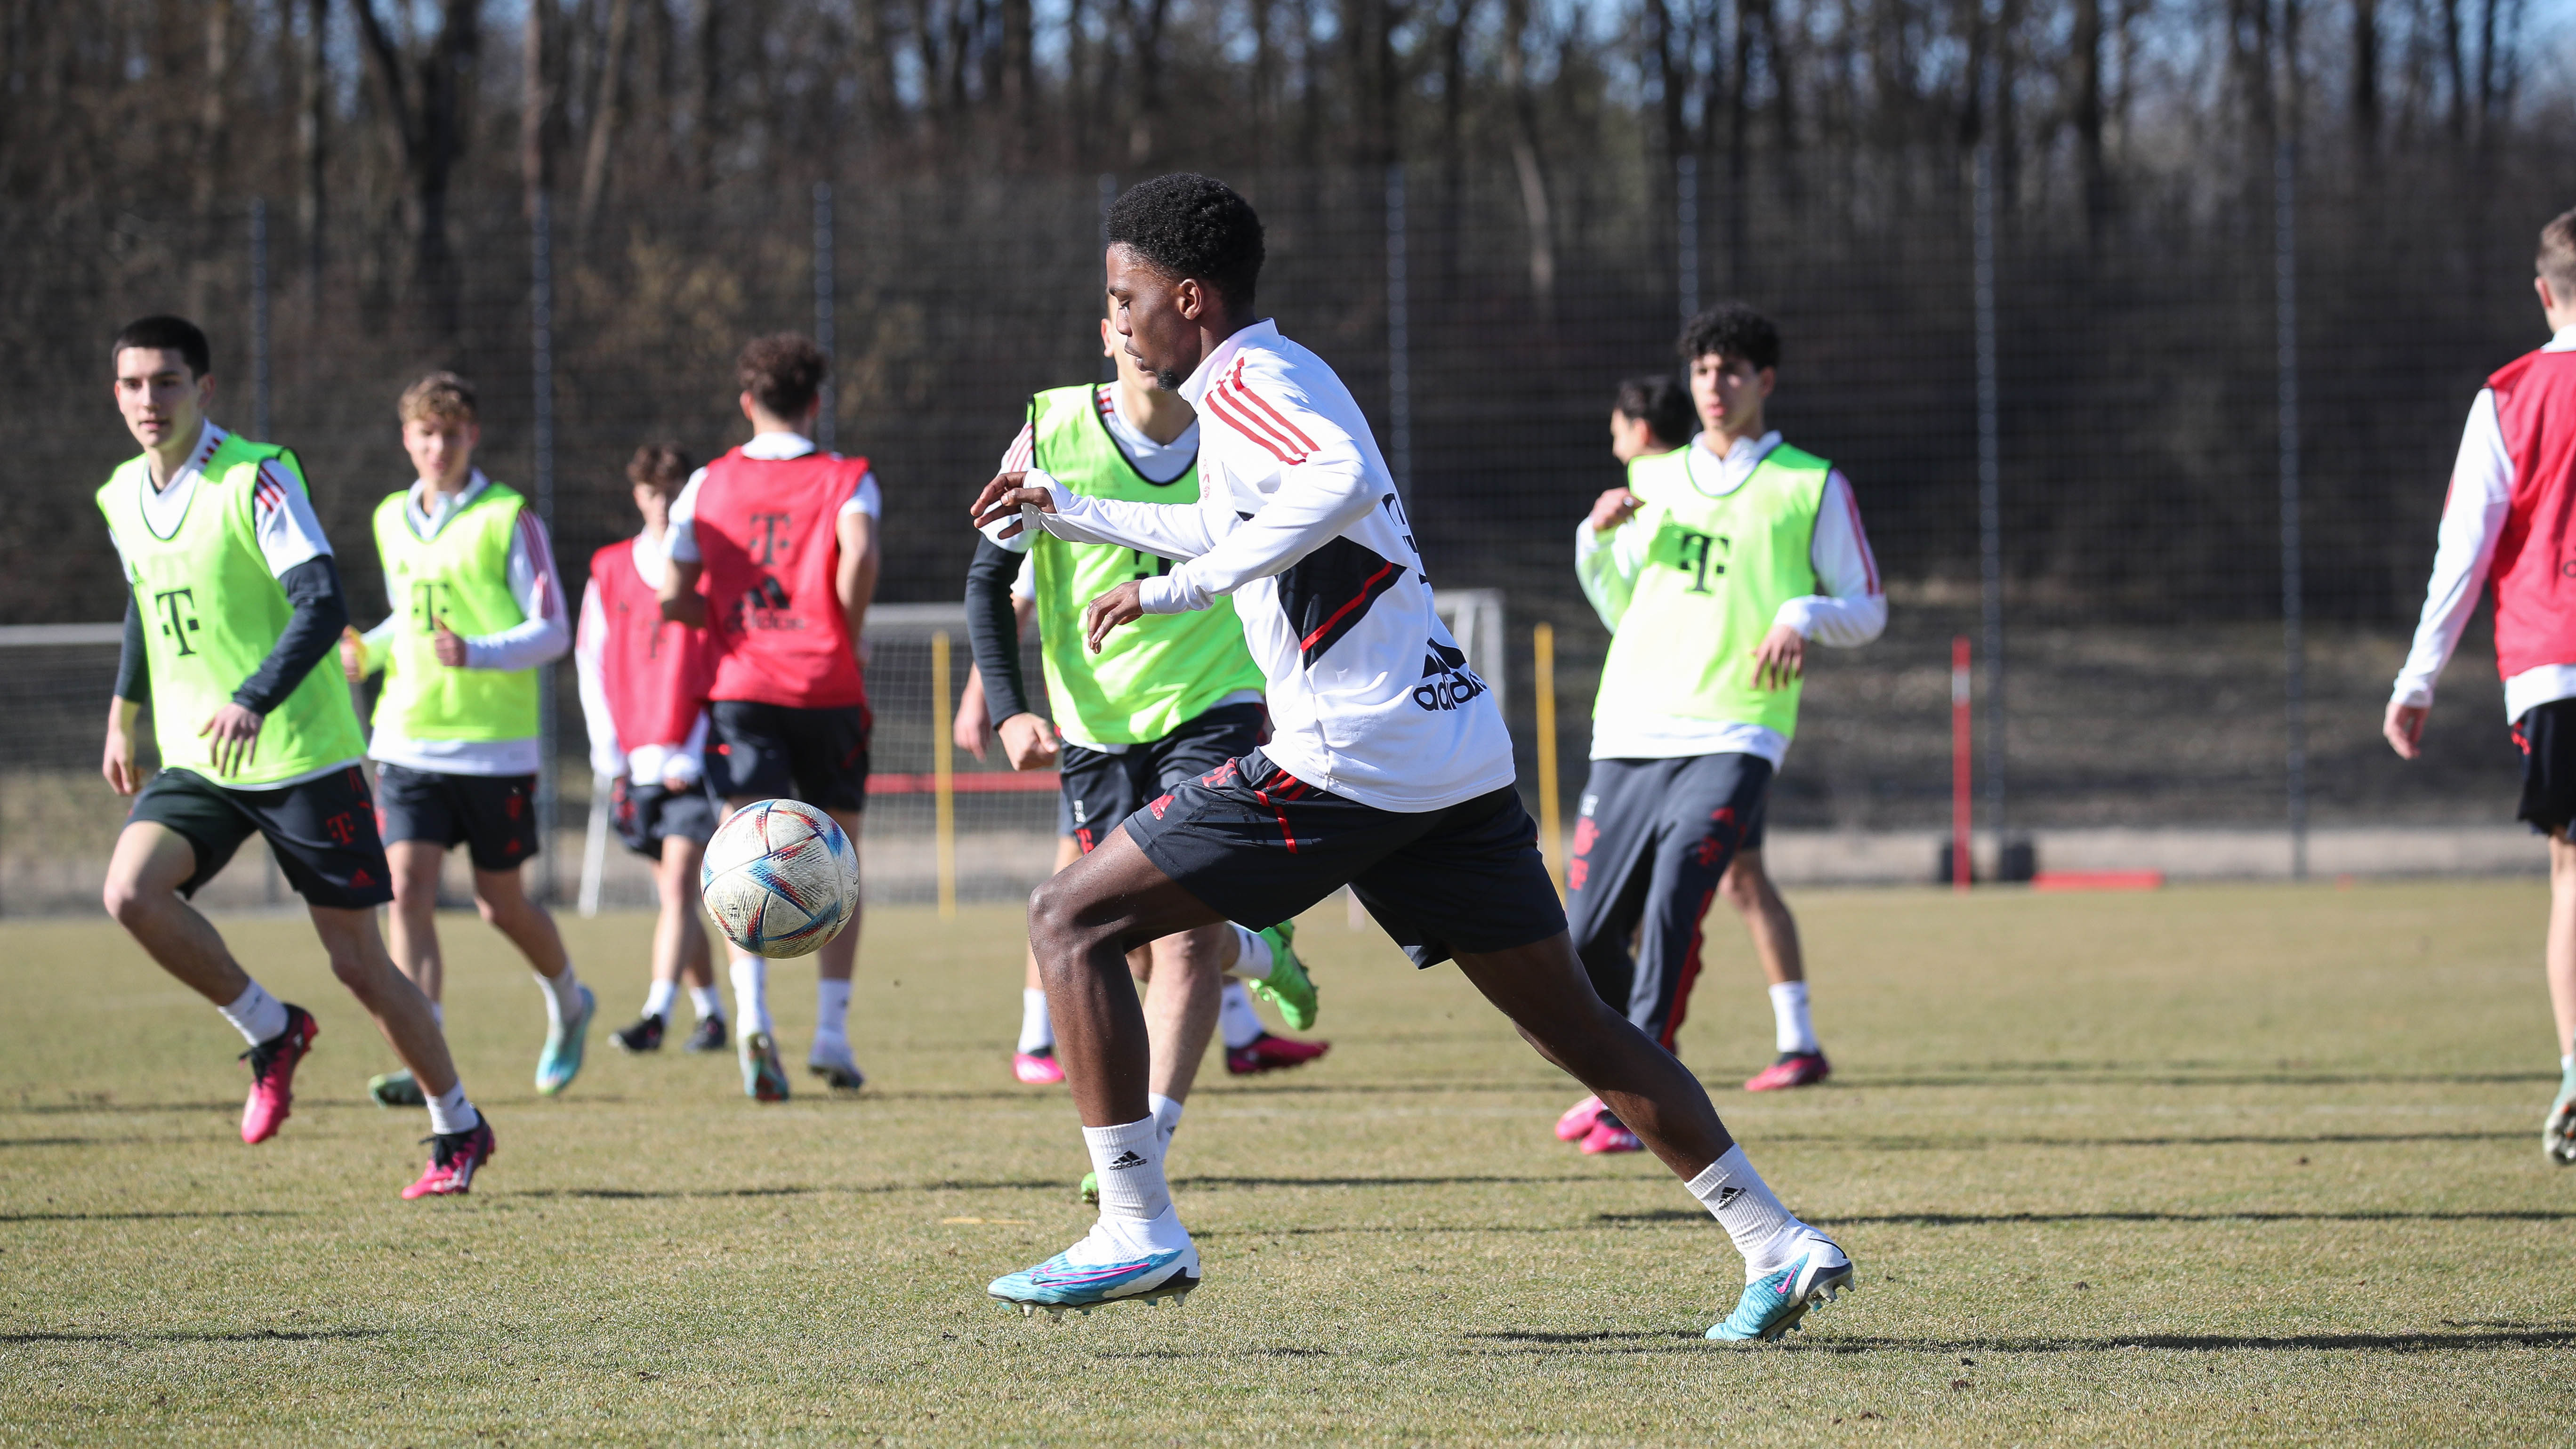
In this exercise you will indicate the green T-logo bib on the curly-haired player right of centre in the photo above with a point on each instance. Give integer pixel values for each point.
(1717, 576)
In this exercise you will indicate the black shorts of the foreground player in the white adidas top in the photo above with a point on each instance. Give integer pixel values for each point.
(1258, 847)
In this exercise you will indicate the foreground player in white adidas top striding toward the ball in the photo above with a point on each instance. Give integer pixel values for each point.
(1390, 772)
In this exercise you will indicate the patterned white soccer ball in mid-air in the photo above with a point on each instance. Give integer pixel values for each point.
(779, 878)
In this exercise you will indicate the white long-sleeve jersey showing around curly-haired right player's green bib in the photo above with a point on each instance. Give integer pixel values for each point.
(1848, 610)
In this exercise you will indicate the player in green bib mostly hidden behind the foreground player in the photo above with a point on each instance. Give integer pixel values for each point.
(1163, 703)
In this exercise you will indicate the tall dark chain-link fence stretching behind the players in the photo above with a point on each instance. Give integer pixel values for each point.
(2137, 452)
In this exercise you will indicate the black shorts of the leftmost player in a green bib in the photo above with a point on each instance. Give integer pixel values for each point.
(323, 831)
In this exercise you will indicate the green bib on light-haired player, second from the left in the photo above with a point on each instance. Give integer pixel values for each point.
(460, 576)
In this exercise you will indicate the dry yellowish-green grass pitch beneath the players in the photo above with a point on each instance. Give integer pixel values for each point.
(2206, 1167)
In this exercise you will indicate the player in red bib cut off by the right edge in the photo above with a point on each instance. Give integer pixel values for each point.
(2508, 525)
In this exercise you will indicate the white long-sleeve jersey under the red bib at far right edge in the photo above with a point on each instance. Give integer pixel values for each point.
(2482, 499)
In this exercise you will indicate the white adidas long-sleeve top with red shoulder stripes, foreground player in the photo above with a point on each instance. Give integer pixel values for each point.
(1300, 522)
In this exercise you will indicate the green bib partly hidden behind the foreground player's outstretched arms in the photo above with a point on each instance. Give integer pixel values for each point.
(1158, 672)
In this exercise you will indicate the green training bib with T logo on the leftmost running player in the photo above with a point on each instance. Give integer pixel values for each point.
(213, 612)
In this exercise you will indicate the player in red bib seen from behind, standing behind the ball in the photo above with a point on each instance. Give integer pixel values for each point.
(784, 540)
